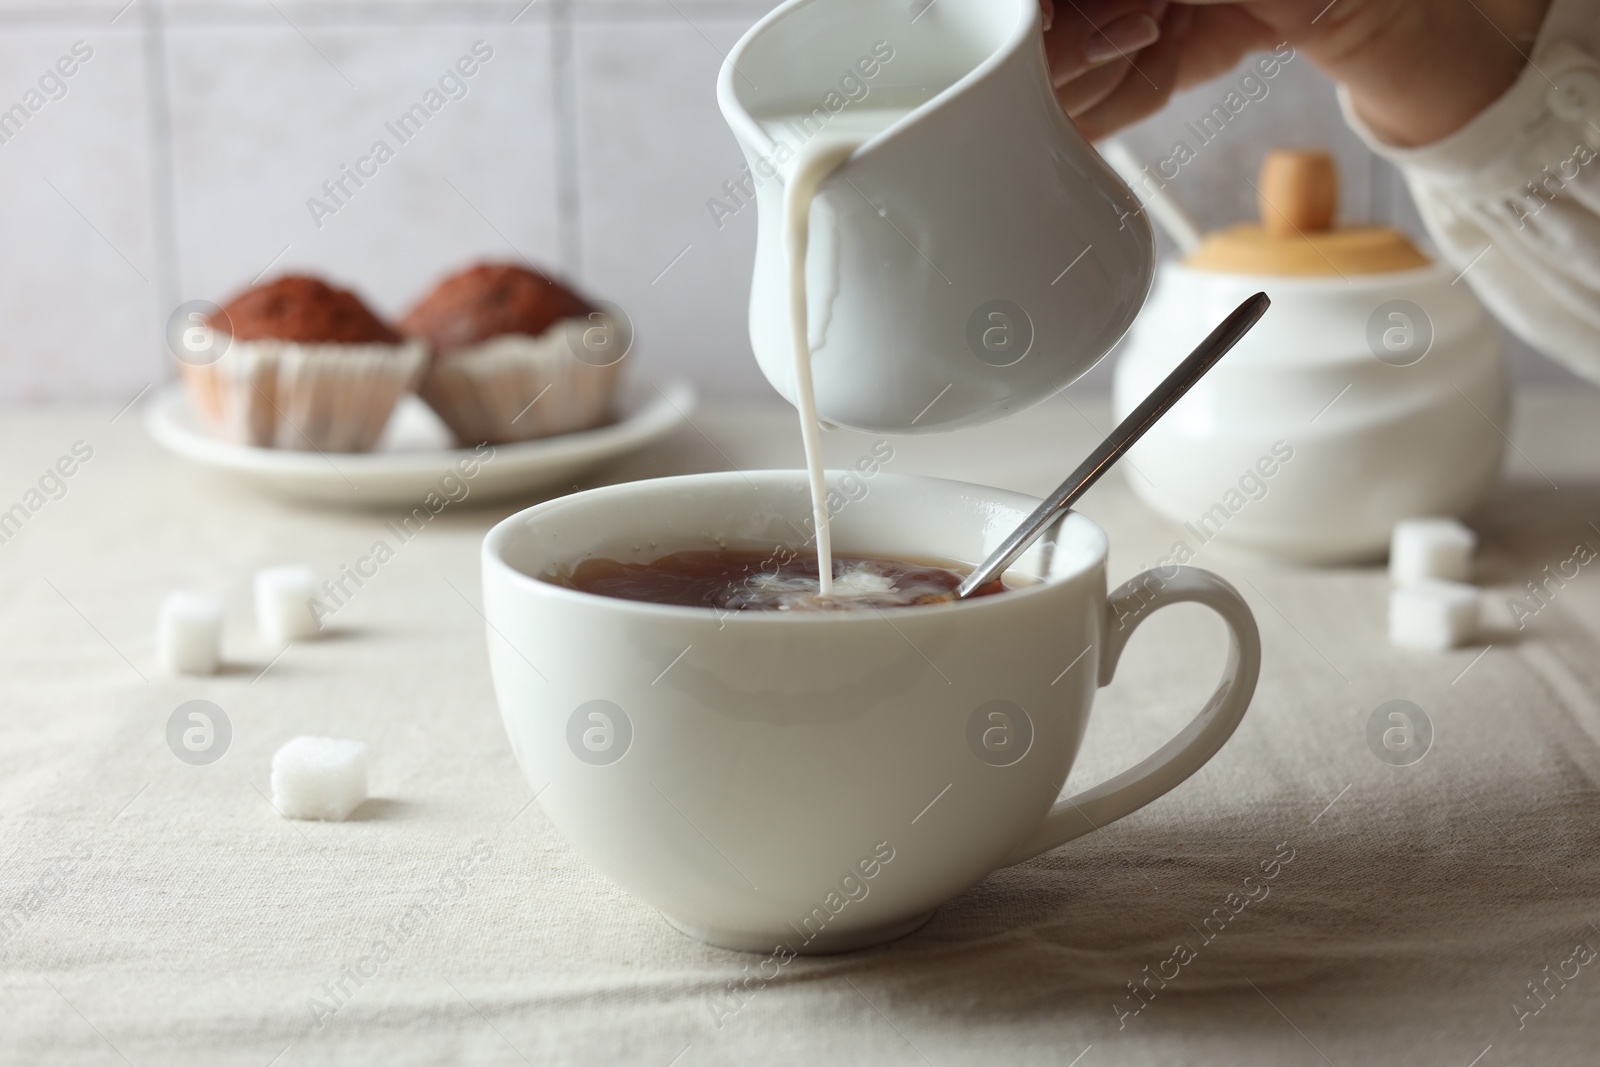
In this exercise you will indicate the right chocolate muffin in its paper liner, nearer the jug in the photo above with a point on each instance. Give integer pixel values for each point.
(516, 356)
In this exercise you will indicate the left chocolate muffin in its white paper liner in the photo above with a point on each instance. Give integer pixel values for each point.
(308, 367)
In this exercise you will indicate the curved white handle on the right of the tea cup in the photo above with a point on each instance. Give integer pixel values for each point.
(1190, 751)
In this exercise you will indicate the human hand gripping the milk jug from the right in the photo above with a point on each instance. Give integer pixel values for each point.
(1417, 70)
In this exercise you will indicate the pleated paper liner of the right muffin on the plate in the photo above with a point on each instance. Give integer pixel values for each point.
(516, 388)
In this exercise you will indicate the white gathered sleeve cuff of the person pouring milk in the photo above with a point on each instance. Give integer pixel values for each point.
(1513, 199)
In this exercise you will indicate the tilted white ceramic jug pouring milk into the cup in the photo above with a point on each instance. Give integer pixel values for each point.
(974, 255)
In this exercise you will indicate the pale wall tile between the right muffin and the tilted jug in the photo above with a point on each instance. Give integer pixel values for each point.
(652, 151)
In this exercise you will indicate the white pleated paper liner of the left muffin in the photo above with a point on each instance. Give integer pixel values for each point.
(310, 398)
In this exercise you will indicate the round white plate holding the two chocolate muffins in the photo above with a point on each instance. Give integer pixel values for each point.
(417, 452)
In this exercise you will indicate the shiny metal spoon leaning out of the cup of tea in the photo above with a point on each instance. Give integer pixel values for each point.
(1121, 441)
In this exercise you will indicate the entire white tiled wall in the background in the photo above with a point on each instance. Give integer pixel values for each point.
(182, 158)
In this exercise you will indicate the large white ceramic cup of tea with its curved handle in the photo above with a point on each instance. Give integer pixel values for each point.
(822, 783)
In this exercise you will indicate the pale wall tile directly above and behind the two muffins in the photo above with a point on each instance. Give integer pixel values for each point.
(260, 121)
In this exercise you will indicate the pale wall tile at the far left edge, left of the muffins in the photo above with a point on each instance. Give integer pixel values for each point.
(81, 273)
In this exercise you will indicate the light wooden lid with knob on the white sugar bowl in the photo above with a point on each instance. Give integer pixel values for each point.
(1298, 194)
